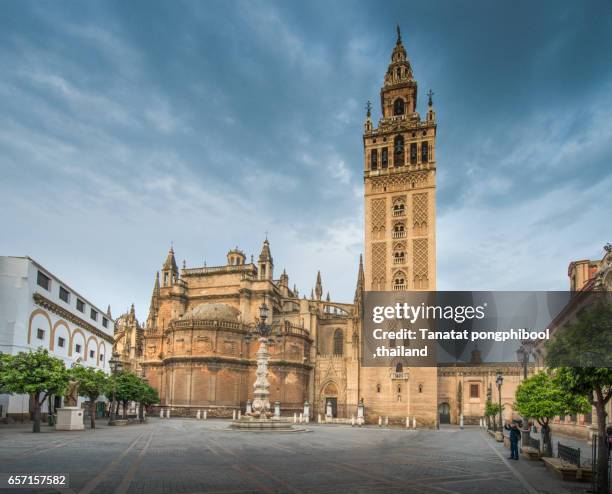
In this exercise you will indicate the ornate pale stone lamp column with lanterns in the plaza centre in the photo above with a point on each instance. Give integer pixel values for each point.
(263, 333)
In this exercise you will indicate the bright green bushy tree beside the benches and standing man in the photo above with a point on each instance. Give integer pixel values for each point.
(540, 397)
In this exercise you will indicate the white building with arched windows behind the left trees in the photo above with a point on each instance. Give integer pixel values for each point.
(38, 310)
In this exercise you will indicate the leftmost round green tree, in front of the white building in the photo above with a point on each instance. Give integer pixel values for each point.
(34, 373)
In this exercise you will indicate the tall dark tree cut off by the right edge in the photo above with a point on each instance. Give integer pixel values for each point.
(581, 353)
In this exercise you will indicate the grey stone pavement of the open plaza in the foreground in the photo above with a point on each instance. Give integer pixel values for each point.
(189, 456)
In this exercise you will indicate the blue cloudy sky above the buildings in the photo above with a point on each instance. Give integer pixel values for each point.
(125, 126)
